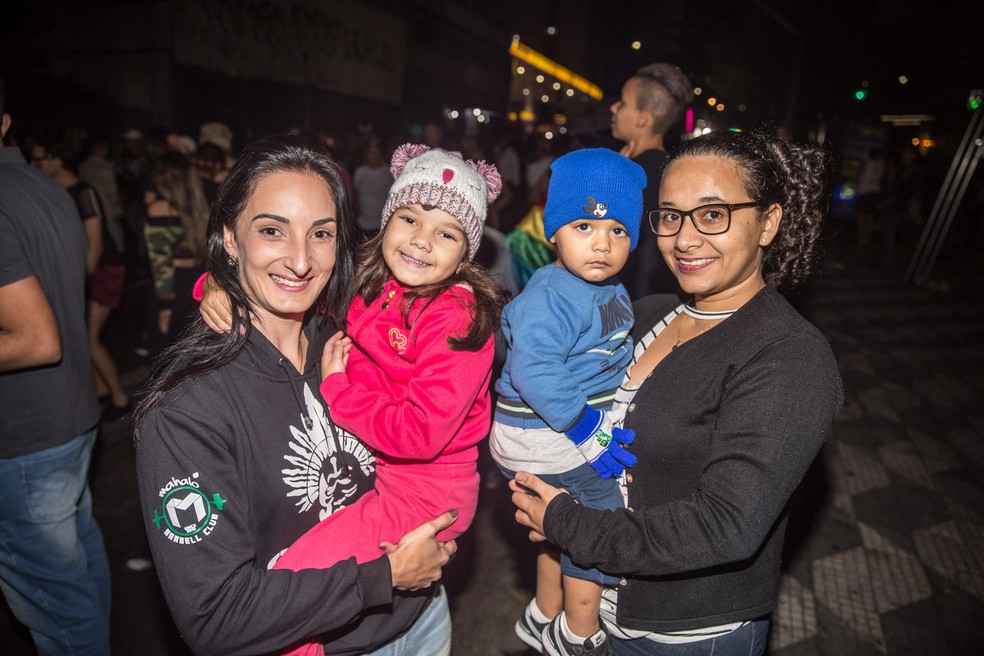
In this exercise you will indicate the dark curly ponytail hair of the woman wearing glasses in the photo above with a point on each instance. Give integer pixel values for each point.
(790, 174)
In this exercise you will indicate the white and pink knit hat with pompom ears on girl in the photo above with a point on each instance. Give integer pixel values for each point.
(443, 179)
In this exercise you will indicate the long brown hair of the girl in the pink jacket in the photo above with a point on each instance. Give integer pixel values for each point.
(489, 297)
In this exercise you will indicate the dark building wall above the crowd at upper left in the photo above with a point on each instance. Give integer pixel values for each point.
(308, 64)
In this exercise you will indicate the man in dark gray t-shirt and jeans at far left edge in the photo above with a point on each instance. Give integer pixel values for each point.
(54, 572)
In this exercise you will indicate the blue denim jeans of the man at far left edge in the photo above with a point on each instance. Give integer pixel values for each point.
(53, 567)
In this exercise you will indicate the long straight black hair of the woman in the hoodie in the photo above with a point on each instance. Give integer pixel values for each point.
(200, 350)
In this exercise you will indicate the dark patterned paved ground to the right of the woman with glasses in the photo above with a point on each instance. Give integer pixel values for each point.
(891, 560)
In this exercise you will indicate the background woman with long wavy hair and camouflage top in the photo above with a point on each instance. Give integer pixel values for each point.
(174, 234)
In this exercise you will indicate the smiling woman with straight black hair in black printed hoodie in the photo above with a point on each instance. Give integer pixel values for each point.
(237, 456)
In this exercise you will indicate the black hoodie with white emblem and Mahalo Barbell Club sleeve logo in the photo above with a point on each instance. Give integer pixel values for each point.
(233, 466)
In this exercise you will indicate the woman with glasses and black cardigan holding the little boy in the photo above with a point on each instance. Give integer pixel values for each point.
(730, 396)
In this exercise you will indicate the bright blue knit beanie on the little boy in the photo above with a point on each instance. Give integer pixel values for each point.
(594, 183)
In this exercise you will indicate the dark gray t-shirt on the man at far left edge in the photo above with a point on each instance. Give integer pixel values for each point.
(41, 235)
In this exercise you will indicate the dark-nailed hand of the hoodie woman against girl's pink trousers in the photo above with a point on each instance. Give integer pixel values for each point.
(417, 560)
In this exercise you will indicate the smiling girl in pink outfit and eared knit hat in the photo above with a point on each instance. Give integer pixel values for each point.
(412, 377)
